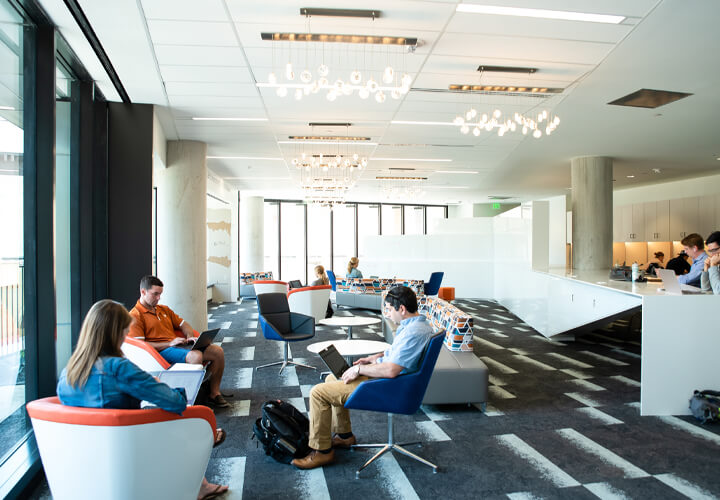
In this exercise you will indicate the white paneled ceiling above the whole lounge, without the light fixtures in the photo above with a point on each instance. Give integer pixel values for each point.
(203, 59)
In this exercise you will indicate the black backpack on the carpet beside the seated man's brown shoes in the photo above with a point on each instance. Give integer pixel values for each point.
(283, 431)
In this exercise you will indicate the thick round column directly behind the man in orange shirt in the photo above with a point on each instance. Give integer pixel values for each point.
(182, 232)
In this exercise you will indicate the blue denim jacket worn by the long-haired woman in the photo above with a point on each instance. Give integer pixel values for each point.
(118, 383)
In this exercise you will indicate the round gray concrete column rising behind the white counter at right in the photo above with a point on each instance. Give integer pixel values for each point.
(591, 212)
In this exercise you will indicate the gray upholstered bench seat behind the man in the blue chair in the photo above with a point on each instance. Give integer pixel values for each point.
(458, 377)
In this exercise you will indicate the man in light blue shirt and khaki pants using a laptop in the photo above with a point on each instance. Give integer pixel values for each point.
(327, 399)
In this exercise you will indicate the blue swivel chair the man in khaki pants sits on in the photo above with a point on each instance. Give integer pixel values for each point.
(402, 395)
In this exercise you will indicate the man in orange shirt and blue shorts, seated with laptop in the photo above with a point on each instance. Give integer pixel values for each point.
(158, 324)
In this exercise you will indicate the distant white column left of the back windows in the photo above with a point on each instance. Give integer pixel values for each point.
(252, 236)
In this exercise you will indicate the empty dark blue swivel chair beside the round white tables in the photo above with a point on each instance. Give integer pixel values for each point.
(278, 323)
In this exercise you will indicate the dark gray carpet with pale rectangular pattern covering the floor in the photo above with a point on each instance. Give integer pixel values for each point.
(562, 422)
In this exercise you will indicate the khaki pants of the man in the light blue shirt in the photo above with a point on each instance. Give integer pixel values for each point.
(327, 413)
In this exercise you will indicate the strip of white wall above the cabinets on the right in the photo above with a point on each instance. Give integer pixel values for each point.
(699, 186)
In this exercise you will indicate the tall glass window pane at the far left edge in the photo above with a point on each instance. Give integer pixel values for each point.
(13, 422)
